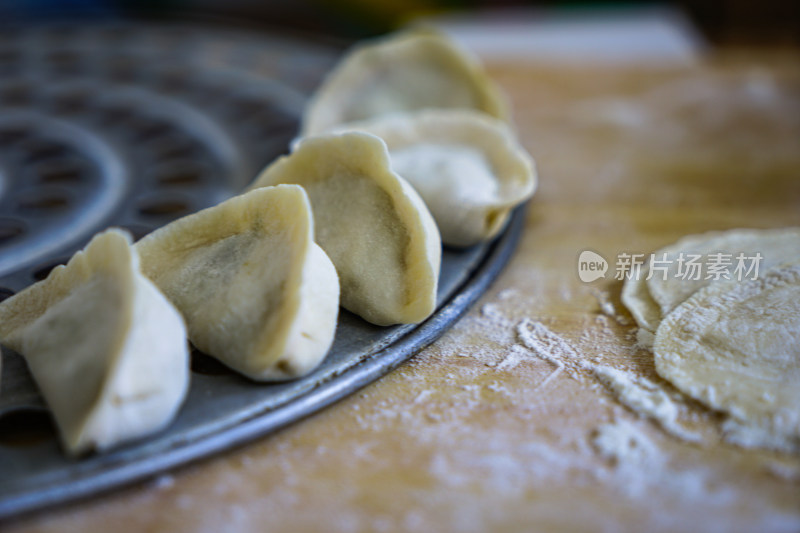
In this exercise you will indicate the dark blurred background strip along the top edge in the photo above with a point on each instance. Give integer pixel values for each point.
(722, 22)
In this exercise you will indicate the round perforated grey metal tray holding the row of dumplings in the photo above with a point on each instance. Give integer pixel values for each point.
(134, 125)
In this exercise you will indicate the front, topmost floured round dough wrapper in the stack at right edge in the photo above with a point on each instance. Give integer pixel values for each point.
(735, 346)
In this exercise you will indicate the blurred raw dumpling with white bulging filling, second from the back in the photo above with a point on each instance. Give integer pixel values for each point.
(466, 165)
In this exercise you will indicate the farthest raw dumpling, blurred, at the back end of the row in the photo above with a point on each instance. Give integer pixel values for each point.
(405, 72)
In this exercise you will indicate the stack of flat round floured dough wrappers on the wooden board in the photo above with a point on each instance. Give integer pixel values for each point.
(729, 338)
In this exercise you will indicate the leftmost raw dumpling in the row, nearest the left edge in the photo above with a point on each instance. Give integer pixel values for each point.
(105, 347)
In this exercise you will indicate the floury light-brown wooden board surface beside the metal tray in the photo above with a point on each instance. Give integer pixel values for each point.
(498, 426)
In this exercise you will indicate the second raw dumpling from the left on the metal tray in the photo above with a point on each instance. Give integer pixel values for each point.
(255, 290)
